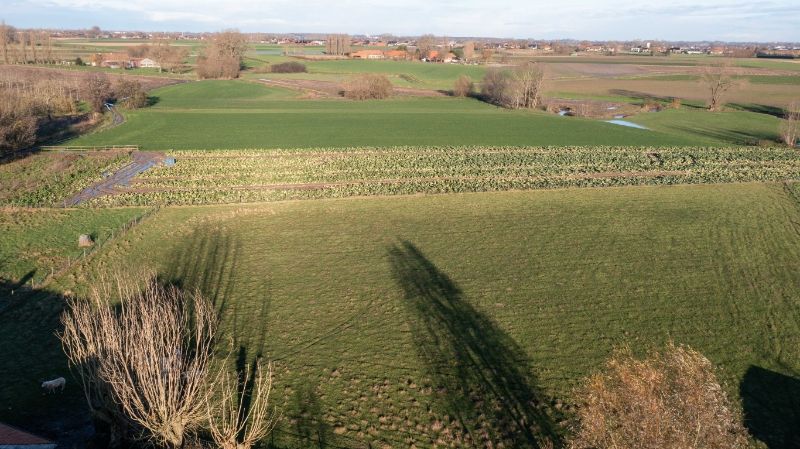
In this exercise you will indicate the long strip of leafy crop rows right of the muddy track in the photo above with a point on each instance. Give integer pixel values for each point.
(204, 177)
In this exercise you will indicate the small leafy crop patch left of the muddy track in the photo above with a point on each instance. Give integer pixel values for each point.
(46, 179)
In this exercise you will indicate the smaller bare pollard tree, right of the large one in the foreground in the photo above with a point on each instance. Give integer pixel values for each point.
(236, 423)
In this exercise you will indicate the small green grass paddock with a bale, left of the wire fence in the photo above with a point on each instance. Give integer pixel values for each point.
(38, 242)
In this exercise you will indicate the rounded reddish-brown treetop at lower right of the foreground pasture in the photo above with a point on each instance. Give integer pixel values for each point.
(669, 400)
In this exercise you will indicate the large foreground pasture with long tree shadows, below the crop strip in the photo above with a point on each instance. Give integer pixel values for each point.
(414, 321)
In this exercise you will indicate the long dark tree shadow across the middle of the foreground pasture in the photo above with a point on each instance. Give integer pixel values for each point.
(480, 372)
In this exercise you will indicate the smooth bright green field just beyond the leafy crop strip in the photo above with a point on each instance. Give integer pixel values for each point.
(200, 115)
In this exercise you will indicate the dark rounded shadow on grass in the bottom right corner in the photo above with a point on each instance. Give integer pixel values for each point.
(771, 404)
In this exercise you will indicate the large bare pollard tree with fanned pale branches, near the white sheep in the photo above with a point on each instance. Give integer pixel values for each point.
(152, 356)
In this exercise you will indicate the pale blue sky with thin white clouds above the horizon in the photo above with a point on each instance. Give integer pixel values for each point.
(725, 20)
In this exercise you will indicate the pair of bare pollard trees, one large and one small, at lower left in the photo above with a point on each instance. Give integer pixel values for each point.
(149, 373)
